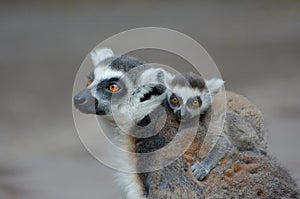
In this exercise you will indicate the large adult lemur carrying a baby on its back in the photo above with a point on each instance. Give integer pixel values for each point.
(134, 97)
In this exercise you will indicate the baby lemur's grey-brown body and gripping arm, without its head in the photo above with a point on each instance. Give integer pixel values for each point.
(243, 131)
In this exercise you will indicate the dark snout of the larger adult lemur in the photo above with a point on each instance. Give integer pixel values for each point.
(85, 102)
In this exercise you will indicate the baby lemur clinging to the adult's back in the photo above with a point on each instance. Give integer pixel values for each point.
(190, 97)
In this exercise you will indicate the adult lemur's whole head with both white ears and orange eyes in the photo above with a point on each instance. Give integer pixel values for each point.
(121, 84)
